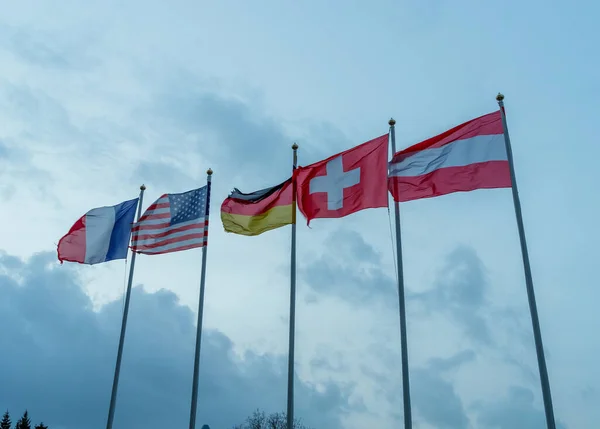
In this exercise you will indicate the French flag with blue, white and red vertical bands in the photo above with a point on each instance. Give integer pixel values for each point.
(100, 235)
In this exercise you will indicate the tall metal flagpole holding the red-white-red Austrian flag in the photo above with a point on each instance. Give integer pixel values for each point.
(537, 334)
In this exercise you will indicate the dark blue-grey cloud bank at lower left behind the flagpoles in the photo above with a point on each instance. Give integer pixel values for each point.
(58, 356)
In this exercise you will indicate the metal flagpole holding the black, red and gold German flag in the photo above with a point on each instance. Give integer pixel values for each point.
(292, 334)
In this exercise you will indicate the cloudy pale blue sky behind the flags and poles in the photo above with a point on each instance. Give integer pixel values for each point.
(97, 98)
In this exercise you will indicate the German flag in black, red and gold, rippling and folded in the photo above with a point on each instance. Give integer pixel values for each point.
(258, 212)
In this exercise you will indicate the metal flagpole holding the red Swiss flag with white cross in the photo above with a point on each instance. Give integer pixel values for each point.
(402, 306)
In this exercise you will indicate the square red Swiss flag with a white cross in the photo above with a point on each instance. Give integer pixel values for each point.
(345, 183)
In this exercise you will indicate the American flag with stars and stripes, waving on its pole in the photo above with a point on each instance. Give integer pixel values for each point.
(172, 223)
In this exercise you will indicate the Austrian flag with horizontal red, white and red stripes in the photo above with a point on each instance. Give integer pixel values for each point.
(467, 157)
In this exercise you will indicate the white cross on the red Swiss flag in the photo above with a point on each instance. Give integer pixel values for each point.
(334, 183)
